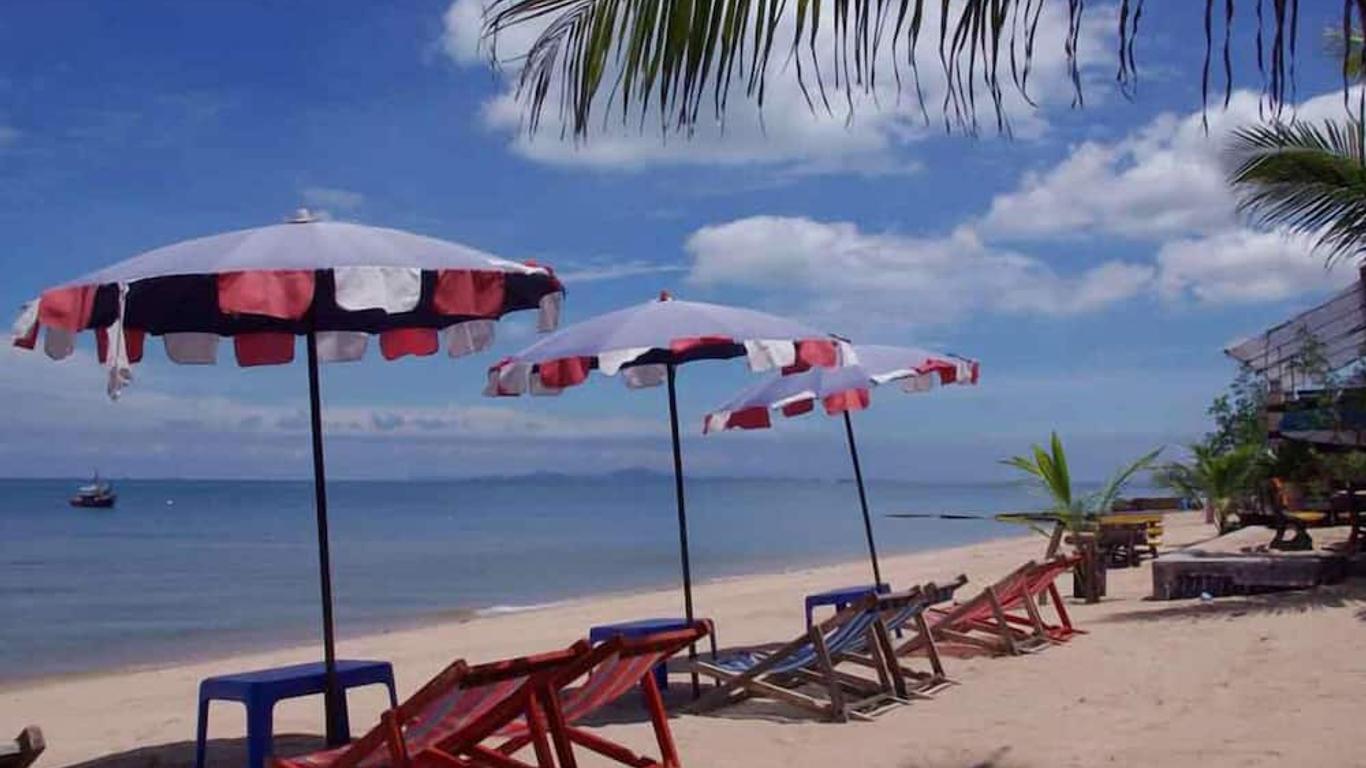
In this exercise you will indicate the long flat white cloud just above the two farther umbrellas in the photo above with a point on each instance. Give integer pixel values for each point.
(852, 274)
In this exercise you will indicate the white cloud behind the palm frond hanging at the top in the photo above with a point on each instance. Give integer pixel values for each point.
(787, 135)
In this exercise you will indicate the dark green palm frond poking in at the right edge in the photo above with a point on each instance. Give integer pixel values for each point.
(1309, 178)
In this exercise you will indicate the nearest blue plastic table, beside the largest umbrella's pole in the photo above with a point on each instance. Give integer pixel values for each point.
(262, 689)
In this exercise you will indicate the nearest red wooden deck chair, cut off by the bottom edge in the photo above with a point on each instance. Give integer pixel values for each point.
(450, 721)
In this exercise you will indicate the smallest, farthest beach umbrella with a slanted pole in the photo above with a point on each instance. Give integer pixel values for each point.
(842, 392)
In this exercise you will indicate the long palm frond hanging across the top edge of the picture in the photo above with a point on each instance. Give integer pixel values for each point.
(682, 59)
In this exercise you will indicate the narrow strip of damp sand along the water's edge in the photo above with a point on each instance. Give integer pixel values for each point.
(230, 650)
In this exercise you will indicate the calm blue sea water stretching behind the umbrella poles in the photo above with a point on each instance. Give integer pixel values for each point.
(186, 569)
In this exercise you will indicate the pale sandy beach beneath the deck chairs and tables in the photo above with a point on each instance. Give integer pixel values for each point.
(1257, 681)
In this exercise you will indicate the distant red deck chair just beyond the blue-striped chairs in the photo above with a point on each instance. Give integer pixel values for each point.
(981, 624)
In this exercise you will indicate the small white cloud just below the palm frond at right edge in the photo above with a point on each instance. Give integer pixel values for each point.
(1242, 266)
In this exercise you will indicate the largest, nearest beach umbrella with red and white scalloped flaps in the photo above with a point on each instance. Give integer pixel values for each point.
(331, 282)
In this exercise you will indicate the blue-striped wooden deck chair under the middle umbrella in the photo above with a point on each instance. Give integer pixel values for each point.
(811, 661)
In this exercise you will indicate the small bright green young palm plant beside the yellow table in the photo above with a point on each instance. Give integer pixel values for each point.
(1069, 512)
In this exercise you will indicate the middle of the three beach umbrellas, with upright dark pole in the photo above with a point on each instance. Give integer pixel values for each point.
(645, 345)
